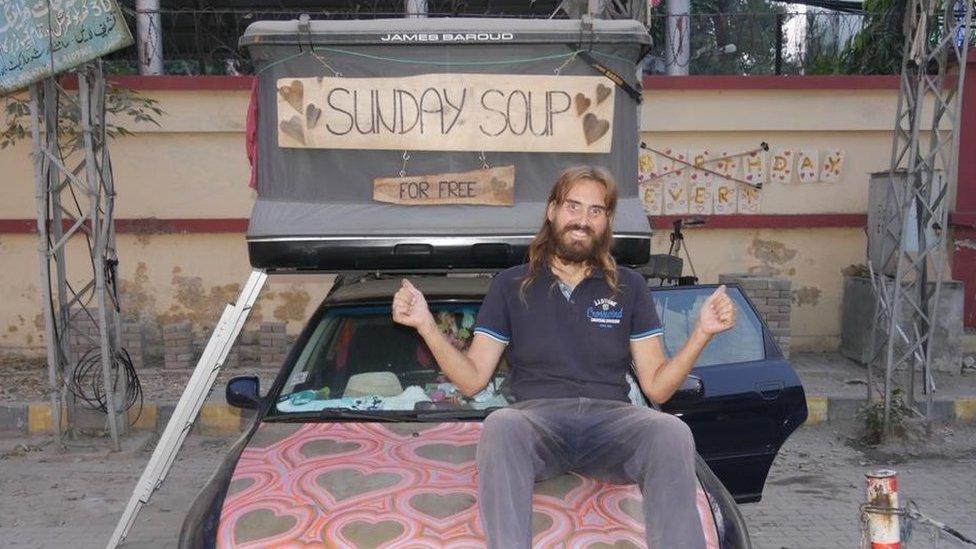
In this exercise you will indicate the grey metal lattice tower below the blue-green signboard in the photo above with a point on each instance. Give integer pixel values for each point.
(75, 197)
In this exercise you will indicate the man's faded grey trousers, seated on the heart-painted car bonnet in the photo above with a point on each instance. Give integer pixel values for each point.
(607, 440)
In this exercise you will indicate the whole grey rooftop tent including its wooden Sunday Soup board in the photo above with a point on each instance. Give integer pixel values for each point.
(316, 207)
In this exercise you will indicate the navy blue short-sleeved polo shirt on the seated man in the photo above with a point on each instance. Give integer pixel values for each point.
(560, 347)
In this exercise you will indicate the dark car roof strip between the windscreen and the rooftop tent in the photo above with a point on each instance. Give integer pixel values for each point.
(433, 287)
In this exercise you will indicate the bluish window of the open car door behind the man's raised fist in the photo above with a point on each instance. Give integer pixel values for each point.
(678, 309)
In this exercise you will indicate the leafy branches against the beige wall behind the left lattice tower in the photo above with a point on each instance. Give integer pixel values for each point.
(120, 103)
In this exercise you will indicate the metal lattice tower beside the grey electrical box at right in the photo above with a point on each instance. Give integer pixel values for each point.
(923, 168)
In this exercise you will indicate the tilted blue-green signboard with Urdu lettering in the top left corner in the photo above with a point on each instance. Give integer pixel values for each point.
(40, 38)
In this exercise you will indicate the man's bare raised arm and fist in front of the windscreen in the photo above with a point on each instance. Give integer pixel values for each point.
(468, 371)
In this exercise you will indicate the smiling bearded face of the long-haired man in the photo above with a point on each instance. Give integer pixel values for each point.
(580, 223)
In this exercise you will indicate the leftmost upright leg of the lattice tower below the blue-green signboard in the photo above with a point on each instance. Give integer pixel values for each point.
(40, 196)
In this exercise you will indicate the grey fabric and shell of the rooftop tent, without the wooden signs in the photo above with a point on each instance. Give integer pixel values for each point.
(328, 192)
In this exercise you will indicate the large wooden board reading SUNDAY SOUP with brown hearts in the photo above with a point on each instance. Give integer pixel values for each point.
(448, 112)
